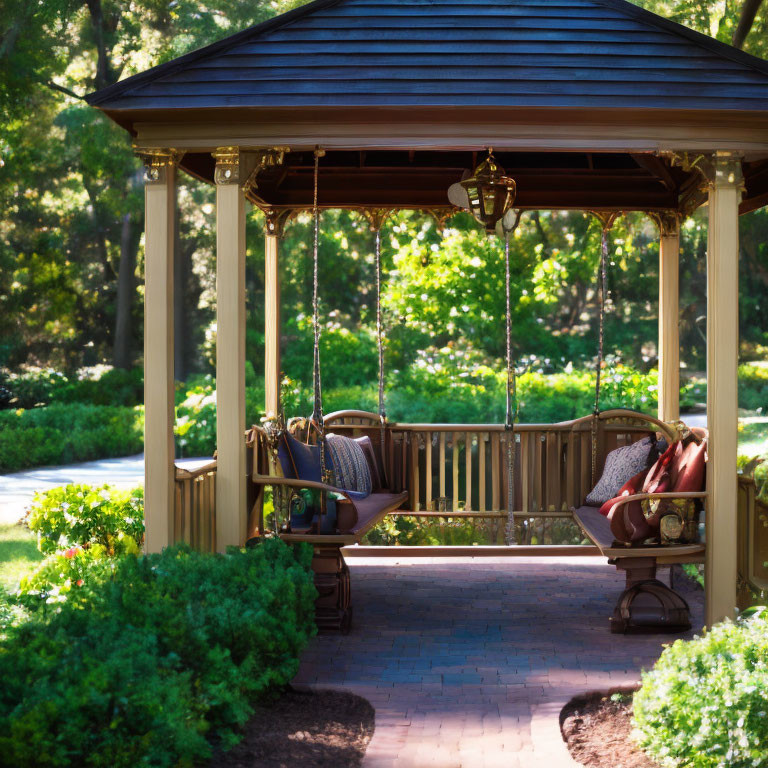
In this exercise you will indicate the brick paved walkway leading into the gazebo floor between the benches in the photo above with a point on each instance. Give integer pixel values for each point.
(468, 662)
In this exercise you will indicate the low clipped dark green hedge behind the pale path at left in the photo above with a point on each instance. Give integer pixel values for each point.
(66, 433)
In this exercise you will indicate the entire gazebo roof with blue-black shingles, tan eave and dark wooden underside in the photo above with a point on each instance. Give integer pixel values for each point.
(405, 93)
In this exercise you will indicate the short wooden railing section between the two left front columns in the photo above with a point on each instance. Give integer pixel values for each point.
(194, 520)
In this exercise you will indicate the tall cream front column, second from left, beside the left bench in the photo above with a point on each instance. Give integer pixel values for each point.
(231, 512)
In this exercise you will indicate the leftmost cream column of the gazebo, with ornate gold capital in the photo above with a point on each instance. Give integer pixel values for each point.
(159, 197)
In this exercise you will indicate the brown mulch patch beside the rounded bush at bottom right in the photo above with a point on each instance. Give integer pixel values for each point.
(597, 728)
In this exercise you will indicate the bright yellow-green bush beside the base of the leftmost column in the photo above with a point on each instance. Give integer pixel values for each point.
(82, 515)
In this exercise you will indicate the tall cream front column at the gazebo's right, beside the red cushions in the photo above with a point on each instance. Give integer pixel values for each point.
(725, 188)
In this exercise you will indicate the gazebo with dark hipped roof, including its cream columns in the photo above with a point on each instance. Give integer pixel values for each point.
(589, 104)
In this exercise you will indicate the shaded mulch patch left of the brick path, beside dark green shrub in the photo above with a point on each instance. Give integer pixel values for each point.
(304, 728)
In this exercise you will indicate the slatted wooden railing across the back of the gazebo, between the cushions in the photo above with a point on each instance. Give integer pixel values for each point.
(452, 469)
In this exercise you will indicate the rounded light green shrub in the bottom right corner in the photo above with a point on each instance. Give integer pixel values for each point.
(703, 705)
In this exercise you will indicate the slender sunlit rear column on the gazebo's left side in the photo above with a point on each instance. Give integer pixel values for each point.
(274, 224)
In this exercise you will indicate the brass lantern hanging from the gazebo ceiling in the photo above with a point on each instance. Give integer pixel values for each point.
(487, 194)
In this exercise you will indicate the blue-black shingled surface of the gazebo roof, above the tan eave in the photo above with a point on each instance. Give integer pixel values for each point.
(501, 53)
